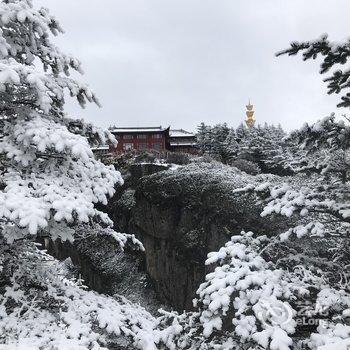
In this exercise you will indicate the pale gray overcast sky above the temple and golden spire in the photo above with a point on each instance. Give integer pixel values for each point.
(180, 62)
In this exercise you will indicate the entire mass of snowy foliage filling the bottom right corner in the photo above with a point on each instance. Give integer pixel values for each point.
(247, 302)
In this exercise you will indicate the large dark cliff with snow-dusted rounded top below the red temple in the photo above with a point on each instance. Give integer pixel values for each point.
(181, 215)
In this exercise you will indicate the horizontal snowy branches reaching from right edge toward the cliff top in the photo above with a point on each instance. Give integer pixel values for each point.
(322, 210)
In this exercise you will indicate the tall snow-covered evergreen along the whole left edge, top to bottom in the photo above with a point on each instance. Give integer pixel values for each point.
(50, 181)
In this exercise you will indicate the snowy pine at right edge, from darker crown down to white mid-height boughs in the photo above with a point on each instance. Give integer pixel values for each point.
(326, 147)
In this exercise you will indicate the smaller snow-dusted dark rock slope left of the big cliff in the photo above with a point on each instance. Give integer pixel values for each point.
(107, 269)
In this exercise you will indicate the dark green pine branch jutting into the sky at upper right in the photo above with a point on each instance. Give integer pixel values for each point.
(333, 53)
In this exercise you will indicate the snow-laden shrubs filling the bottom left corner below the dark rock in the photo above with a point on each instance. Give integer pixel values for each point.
(41, 309)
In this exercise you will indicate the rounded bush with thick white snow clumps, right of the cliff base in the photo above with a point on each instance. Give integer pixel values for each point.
(252, 296)
